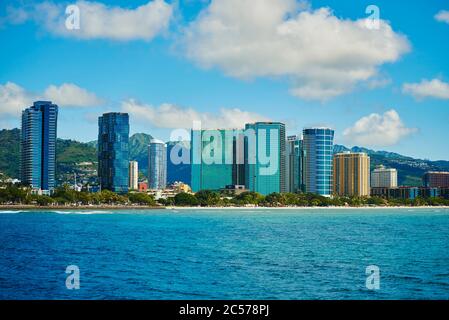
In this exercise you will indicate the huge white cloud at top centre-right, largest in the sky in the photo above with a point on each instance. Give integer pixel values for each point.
(323, 56)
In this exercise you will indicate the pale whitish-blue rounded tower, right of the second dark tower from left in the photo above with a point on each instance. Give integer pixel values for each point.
(157, 165)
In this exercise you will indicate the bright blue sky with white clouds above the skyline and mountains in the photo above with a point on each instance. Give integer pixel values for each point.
(378, 75)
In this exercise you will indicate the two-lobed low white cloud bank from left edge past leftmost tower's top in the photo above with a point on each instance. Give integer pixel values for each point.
(14, 98)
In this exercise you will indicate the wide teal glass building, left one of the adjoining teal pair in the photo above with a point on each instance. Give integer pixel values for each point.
(217, 159)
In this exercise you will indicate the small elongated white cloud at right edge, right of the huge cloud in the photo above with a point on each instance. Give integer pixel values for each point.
(427, 89)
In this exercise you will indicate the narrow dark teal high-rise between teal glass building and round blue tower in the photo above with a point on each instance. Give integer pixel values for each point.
(294, 161)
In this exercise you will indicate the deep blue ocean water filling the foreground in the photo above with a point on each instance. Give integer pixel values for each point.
(231, 254)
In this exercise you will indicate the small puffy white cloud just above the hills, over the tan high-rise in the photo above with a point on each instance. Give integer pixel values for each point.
(378, 130)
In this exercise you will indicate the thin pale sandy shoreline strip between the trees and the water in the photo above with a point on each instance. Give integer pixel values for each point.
(118, 208)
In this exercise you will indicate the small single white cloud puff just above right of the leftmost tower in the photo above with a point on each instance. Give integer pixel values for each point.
(69, 94)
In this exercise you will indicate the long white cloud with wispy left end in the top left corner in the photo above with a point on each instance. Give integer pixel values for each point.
(99, 21)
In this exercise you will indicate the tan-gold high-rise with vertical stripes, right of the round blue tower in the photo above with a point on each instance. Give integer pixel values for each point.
(351, 174)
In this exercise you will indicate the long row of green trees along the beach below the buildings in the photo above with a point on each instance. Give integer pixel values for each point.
(204, 198)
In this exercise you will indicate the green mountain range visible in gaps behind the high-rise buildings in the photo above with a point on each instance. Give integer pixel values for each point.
(70, 153)
